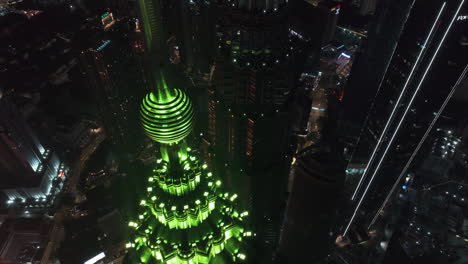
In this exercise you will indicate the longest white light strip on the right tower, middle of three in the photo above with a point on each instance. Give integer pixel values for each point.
(403, 117)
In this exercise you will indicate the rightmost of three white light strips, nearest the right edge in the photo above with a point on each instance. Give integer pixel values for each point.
(421, 142)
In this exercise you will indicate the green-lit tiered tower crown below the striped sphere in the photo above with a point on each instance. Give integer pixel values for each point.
(193, 224)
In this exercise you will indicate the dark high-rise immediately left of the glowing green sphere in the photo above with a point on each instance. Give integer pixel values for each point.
(107, 69)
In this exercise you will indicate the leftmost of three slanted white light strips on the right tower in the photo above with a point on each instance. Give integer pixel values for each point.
(392, 115)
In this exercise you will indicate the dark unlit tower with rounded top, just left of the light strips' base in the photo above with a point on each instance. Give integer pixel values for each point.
(311, 207)
